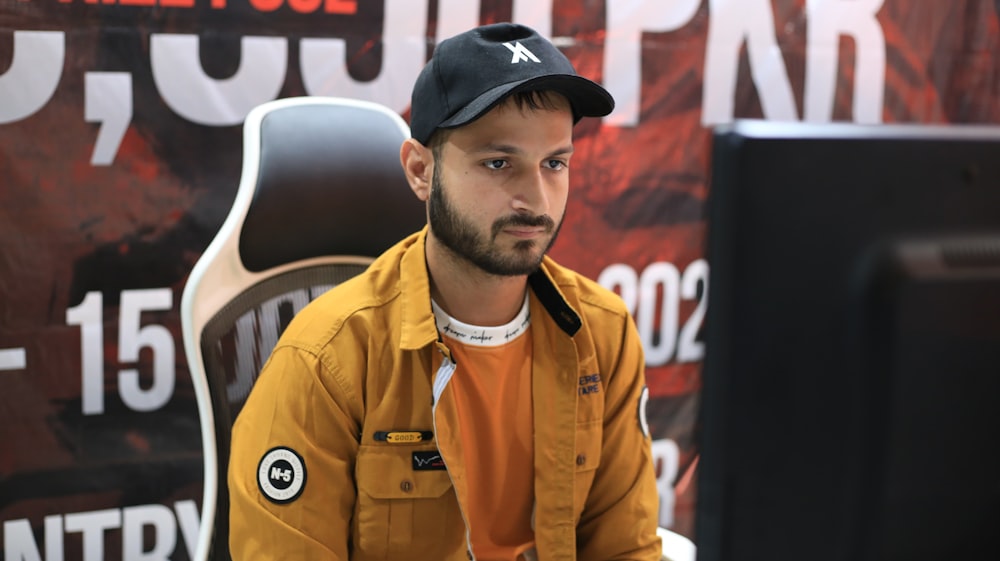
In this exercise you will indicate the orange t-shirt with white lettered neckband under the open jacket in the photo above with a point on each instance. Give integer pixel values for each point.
(492, 390)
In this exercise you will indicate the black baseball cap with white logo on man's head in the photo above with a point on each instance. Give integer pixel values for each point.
(472, 72)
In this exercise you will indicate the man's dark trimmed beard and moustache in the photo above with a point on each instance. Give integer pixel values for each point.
(460, 236)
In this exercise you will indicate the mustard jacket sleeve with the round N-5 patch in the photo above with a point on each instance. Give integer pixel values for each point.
(281, 509)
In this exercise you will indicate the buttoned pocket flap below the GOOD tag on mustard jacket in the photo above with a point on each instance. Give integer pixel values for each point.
(386, 472)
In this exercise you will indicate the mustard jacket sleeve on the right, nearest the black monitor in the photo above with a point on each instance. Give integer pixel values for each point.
(619, 519)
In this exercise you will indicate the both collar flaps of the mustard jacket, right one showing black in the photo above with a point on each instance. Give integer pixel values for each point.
(418, 327)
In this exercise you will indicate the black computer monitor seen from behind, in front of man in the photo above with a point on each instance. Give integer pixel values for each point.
(851, 386)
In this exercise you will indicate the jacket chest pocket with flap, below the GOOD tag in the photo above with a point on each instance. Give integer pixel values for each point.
(402, 512)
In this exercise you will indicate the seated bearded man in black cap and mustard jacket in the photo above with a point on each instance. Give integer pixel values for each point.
(465, 397)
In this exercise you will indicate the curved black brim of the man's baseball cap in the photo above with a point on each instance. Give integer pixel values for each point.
(587, 98)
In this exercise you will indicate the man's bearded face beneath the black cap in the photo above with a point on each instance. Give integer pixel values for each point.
(500, 185)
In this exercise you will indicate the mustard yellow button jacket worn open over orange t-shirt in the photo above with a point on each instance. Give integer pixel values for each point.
(312, 474)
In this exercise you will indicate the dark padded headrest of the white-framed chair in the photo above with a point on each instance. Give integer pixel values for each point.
(329, 182)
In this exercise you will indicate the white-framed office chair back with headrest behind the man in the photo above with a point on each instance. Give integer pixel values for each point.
(321, 194)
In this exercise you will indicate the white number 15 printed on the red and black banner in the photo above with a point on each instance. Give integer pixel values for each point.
(132, 338)
